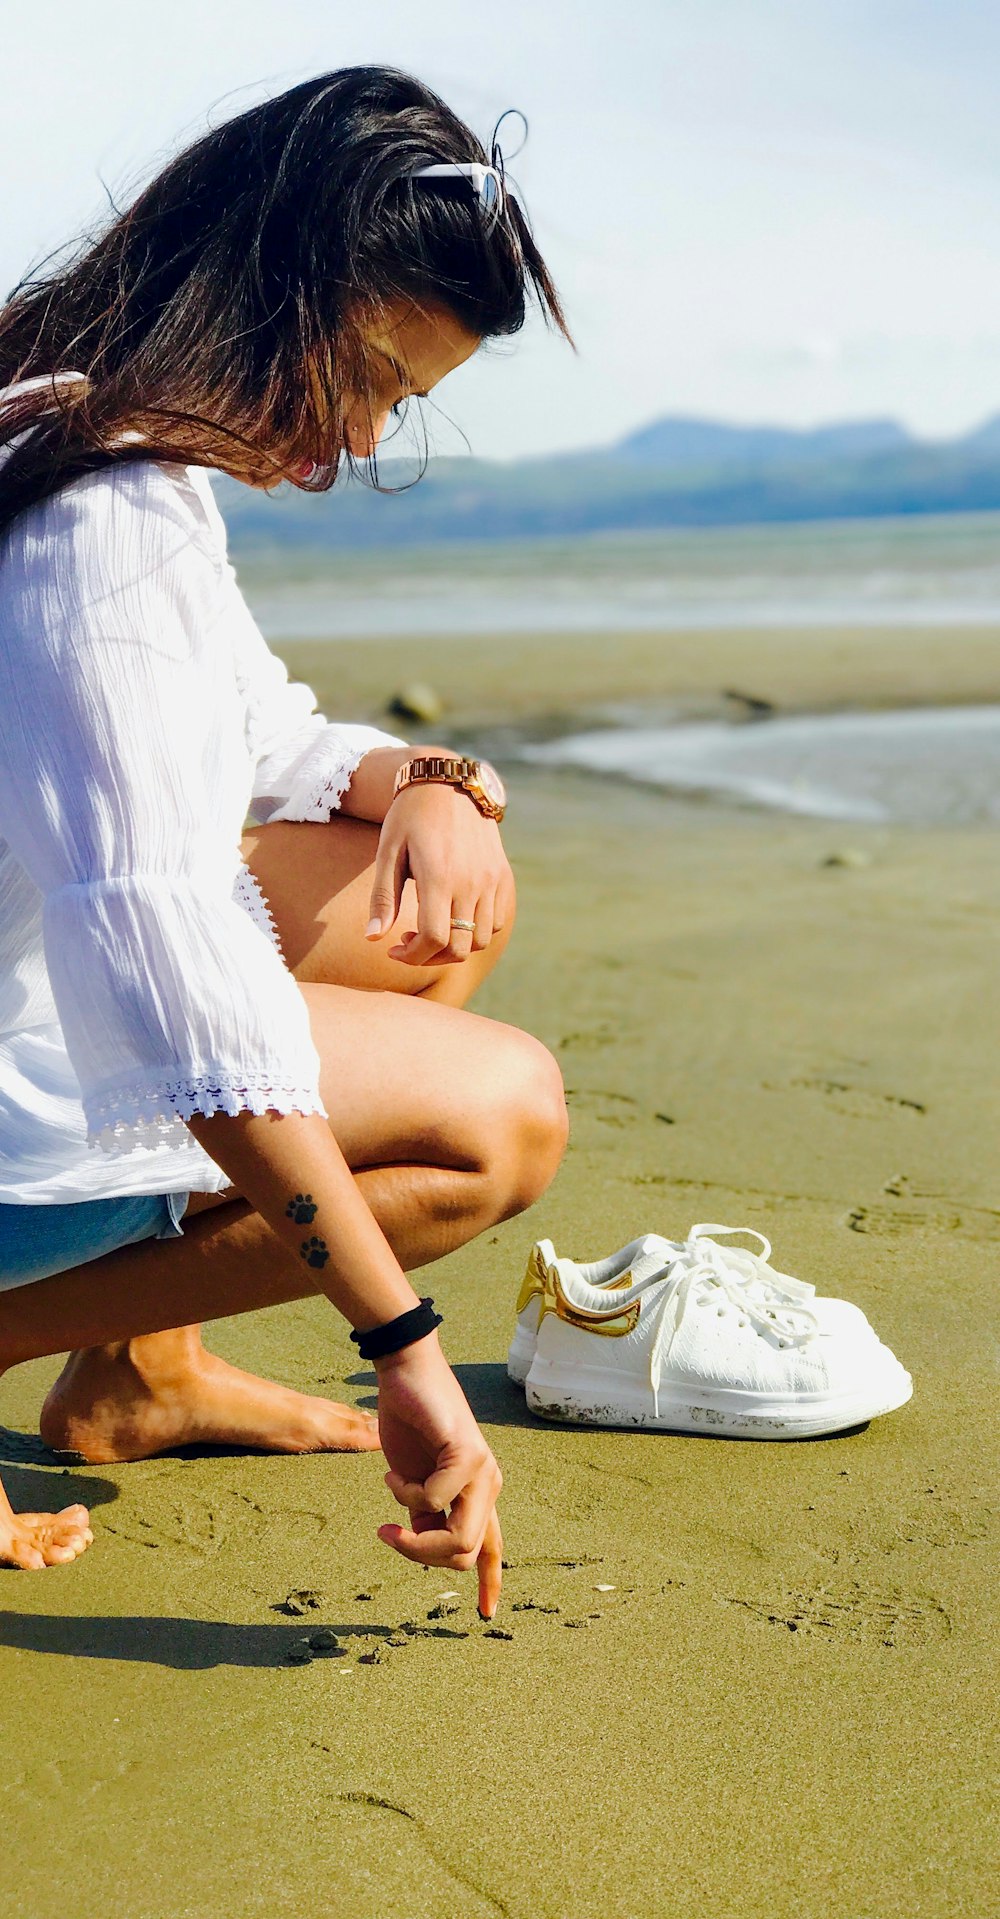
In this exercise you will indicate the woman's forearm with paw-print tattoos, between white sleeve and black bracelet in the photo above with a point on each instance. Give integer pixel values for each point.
(295, 1175)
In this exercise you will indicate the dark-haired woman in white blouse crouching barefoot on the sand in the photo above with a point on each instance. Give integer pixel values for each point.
(235, 1064)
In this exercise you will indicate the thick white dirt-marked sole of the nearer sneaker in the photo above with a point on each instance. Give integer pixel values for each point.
(717, 1413)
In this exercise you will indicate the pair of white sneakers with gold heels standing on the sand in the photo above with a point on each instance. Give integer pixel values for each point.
(694, 1346)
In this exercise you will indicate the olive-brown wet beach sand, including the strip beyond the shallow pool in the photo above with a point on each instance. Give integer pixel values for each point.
(784, 1705)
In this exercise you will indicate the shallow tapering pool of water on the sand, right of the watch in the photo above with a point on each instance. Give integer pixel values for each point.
(920, 767)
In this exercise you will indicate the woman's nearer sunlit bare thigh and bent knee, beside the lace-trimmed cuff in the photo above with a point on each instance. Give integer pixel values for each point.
(417, 1083)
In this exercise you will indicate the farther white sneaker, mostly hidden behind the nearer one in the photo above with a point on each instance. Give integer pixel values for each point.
(654, 1254)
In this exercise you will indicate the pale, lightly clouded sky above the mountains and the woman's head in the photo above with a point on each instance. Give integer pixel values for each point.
(755, 210)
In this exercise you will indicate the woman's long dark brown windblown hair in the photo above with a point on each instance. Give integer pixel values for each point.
(222, 318)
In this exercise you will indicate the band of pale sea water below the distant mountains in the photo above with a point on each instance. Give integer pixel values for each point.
(876, 573)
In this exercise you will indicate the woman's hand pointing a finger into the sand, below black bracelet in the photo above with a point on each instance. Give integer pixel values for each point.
(440, 1469)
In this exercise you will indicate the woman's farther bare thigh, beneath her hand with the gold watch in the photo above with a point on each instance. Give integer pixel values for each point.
(318, 884)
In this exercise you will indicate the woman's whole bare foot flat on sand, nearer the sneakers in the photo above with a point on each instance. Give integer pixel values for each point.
(149, 1396)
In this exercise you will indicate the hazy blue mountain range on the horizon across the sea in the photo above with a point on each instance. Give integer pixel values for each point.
(677, 473)
